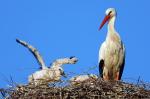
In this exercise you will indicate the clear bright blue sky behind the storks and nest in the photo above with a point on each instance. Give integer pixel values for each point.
(63, 28)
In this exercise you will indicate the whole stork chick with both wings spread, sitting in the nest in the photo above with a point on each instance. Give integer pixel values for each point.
(47, 75)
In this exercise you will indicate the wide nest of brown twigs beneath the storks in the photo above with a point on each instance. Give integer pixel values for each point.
(97, 89)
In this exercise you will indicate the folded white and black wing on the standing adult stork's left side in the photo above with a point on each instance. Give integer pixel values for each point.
(101, 59)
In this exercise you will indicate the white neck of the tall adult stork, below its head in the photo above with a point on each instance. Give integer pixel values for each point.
(112, 34)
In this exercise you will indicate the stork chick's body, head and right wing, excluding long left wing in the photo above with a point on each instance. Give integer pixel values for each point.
(52, 74)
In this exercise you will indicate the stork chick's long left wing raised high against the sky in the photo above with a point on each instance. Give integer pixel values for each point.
(34, 52)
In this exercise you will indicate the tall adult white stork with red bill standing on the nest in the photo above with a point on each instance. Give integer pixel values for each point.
(112, 50)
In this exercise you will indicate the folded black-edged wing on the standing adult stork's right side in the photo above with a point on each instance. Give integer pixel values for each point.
(121, 61)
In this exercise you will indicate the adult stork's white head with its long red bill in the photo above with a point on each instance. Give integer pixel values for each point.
(110, 12)
